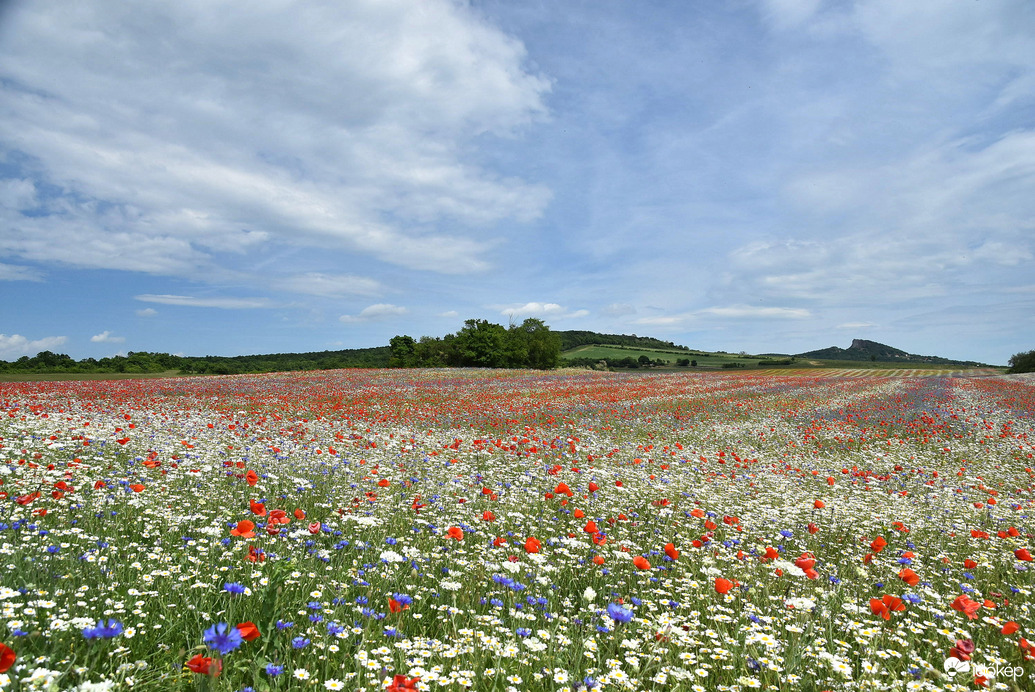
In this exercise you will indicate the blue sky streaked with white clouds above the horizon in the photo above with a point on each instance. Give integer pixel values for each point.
(762, 176)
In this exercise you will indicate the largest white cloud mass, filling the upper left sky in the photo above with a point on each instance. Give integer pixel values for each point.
(195, 134)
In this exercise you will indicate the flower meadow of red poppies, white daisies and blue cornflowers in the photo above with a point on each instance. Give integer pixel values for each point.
(451, 530)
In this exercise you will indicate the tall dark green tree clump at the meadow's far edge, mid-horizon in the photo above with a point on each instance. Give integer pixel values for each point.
(482, 344)
